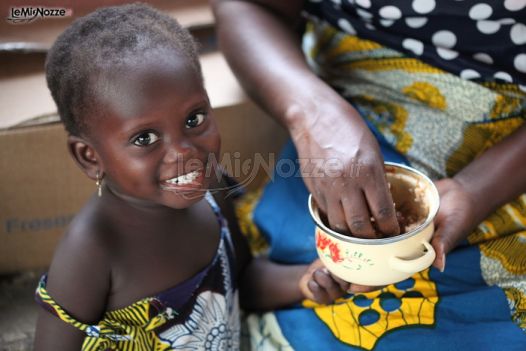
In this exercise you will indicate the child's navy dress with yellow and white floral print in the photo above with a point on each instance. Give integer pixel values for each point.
(201, 313)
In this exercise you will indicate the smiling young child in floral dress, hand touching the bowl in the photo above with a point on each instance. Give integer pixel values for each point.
(150, 262)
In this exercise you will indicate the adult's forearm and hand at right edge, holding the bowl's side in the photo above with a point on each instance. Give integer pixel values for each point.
(491, 180)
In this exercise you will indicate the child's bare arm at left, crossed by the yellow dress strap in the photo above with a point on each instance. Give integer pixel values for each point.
(78, 281)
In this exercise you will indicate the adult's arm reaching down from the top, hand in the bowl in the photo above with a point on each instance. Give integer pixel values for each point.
(261, 44)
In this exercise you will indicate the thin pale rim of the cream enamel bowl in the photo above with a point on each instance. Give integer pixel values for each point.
(380, 241)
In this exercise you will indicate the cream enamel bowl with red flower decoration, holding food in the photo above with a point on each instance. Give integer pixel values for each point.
(385, 260)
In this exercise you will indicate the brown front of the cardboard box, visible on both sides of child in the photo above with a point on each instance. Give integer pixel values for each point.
(42, 189)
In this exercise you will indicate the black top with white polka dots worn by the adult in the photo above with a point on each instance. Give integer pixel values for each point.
(480, 40)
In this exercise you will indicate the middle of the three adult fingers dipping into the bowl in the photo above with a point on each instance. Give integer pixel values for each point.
(357, 214)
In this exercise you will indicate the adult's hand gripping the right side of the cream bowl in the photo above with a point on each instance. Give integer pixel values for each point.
(455, 219)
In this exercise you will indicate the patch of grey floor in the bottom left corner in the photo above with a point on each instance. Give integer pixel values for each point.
(18, 311)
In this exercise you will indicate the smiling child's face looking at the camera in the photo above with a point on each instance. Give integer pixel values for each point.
(157, 139)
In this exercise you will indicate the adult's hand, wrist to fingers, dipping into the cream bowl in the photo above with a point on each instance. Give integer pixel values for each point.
(343, 168)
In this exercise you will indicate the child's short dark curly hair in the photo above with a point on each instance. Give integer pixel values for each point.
(93, 44)
